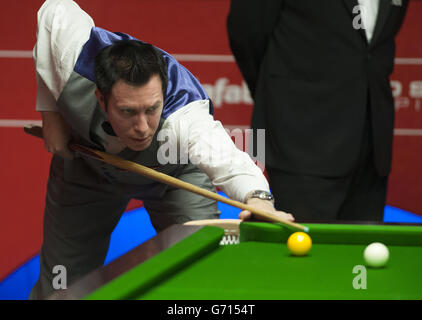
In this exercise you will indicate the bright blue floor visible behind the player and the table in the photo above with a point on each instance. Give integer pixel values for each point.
(133, 229)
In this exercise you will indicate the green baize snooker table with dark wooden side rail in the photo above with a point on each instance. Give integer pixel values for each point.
(188, 263)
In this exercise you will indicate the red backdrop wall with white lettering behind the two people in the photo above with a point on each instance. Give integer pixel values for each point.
(193, 30)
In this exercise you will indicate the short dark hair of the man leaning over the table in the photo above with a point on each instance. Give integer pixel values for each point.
(132, 61)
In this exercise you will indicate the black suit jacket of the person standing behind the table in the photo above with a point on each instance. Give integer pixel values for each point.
(312, 76)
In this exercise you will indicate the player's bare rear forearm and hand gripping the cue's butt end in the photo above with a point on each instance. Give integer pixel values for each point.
(56, 134)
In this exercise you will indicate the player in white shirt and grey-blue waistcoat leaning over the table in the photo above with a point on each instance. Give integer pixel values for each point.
(112, 92)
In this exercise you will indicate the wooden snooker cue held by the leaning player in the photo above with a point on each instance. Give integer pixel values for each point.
(36, 131)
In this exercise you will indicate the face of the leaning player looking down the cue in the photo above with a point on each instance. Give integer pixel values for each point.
(134, 111)
